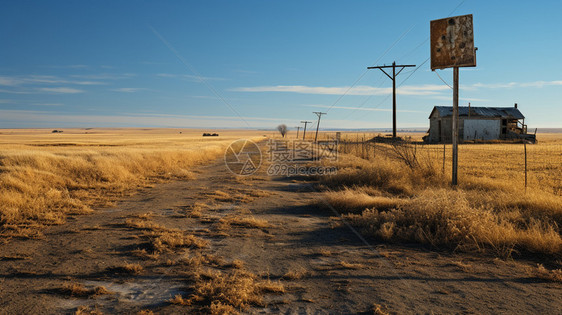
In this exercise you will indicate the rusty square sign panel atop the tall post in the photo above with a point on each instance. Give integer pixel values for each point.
(452, 42)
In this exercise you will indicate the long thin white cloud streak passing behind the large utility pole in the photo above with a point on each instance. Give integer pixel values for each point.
(427, 89)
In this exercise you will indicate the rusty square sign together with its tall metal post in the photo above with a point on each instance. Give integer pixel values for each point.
(452, 46)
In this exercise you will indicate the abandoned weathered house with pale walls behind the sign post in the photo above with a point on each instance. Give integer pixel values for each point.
(477, 123)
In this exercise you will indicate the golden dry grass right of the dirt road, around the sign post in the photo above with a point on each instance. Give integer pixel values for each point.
(402, 194)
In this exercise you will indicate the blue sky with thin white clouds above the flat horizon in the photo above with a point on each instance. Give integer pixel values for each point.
(260, 63)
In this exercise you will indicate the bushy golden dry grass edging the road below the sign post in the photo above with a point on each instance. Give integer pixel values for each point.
(446, 218)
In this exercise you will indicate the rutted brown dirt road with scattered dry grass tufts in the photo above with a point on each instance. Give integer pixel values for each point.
(324, 266)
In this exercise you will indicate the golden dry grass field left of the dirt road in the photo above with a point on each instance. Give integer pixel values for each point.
(44, 176)
